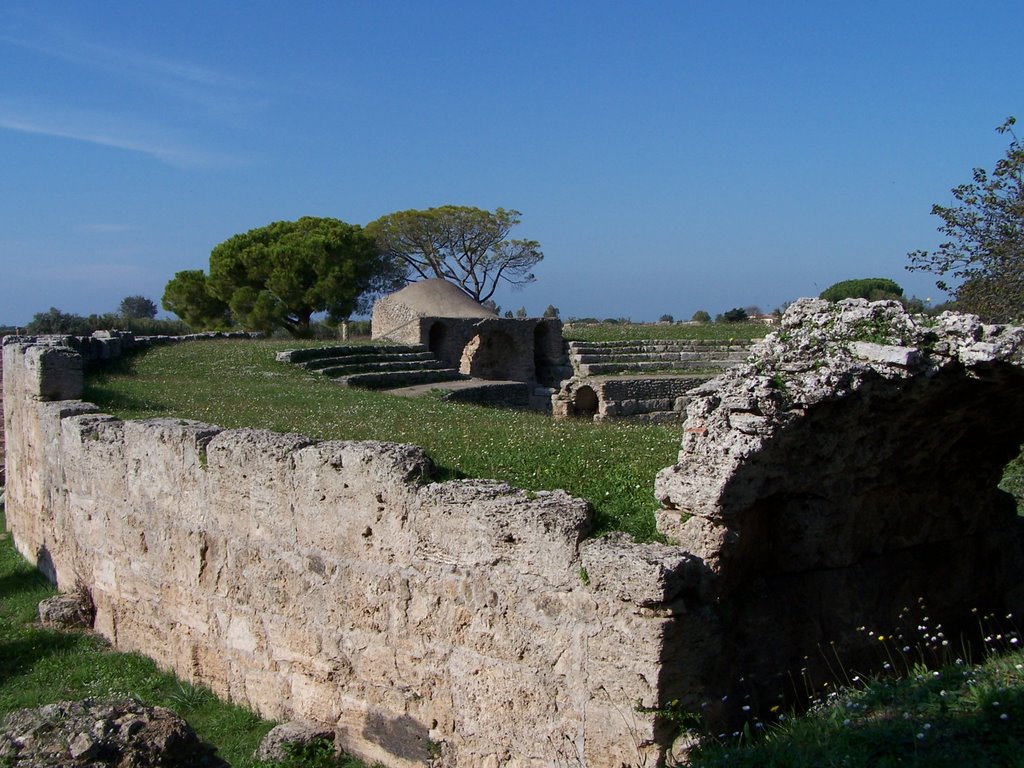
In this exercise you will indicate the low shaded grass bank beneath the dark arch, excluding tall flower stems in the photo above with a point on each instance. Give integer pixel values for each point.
(958, 715)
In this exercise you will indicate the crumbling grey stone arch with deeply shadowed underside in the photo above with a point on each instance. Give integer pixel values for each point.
(845, 474)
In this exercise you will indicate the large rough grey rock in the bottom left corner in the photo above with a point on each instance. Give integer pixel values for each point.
(102, 734)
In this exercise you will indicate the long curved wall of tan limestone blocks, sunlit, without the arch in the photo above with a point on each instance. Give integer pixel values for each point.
(444, 624)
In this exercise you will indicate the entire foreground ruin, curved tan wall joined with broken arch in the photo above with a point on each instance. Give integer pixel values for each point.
(844, 473)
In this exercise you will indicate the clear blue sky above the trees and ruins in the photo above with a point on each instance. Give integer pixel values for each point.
(669, 156)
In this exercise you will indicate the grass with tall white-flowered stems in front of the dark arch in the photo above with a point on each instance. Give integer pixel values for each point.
(934, 701)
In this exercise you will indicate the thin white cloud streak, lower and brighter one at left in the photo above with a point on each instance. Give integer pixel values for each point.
(114, 132)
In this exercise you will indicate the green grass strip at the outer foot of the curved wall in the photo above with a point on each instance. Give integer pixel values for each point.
(40, 666)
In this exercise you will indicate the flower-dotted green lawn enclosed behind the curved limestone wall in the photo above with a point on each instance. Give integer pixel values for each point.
(240, 385)
